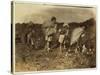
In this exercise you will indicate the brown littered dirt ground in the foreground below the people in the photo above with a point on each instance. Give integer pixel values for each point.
(28, 59)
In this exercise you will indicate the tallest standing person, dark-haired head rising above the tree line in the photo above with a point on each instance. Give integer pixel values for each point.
(49, 30)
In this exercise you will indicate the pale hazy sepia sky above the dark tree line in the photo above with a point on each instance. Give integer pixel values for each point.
(38, 13)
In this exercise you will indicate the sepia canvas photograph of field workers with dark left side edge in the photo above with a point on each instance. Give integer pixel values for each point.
(49, 37)
